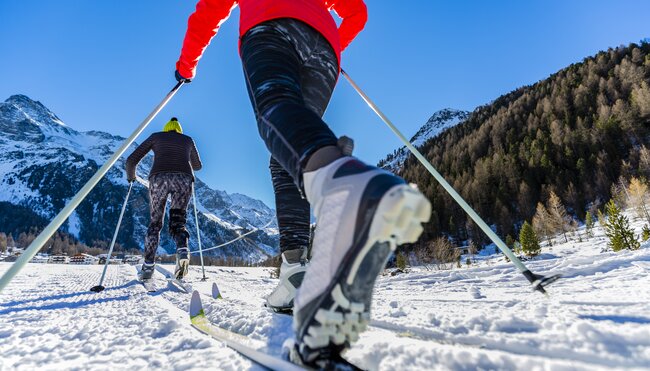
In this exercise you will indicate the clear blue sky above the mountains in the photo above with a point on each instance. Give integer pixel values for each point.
(103, 65)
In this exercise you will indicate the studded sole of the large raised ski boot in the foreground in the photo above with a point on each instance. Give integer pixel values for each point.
(343, 313)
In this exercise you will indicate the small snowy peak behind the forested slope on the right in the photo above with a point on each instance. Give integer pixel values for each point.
(439, 122)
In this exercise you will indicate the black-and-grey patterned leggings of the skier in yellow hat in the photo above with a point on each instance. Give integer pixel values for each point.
(161, 186)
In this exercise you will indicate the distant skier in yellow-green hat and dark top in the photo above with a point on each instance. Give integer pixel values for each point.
(175, 158)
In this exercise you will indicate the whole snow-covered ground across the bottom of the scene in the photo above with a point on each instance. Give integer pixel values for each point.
(483, 317)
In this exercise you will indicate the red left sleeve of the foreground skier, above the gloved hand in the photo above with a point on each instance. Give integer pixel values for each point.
(201, 28)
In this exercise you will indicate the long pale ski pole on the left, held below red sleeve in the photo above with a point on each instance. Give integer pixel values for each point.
(61, 217)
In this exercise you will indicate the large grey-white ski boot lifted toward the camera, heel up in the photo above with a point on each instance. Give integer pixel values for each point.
(363, 213)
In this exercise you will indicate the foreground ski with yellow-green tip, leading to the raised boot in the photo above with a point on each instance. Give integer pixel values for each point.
(236, 341)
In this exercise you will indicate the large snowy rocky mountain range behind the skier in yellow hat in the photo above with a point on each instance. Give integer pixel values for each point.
(44, 162)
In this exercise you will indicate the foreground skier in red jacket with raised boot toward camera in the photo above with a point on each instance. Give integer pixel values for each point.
(290, 51)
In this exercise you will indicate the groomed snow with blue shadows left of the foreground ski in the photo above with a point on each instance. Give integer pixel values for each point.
(49, 318)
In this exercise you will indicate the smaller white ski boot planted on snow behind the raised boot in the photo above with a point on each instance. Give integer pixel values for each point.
(292, 272)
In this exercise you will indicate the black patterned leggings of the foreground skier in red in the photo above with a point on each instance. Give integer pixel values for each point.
(291, 71)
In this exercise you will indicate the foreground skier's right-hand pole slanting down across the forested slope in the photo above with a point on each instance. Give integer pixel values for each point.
(537, 281)
